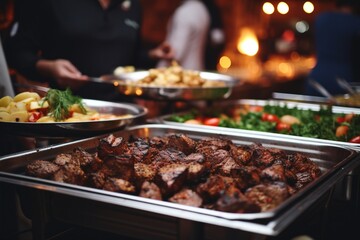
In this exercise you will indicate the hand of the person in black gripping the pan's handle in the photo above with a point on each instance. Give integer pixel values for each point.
(65, 73)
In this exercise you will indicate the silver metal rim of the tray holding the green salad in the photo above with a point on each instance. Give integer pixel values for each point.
(255, 102)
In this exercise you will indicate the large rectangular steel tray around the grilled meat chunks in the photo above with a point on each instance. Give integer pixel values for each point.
(334, 160)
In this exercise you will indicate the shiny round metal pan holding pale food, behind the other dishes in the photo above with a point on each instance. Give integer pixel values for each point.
(130, 88)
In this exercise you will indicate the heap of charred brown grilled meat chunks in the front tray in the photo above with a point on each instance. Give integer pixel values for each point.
(211, 173)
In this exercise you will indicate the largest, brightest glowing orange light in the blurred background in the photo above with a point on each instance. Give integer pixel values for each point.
(248, 43)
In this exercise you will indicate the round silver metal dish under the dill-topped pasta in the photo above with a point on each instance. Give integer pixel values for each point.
(78, 129)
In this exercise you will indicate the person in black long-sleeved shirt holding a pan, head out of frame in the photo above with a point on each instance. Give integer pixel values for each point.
(64, 42)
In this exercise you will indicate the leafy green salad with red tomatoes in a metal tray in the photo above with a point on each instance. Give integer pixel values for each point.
(322, 124)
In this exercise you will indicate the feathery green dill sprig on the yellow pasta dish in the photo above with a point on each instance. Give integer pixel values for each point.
(60, 103)
